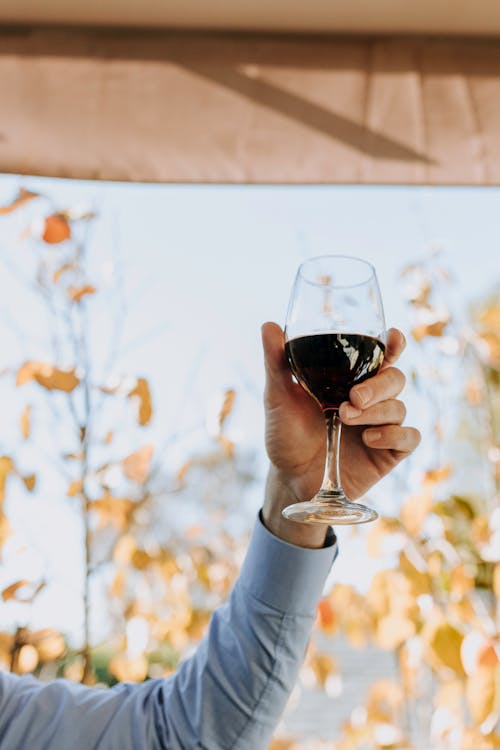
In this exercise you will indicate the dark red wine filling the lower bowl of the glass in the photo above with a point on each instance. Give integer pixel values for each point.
(327, 365)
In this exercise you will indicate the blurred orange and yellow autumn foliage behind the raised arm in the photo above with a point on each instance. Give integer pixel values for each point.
(161, 549)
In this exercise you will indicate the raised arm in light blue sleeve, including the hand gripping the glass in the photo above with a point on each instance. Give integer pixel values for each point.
(231, 692)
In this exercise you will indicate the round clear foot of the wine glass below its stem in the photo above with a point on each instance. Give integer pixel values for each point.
(329, 507)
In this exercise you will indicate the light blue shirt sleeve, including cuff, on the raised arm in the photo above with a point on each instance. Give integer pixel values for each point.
(229, 694)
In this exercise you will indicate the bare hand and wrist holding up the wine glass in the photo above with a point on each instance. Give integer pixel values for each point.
(373, 439)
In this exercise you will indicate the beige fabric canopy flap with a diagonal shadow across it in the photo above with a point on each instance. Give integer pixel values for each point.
(227, 108)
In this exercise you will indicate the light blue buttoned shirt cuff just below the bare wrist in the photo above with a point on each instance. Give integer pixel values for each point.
(284, 576)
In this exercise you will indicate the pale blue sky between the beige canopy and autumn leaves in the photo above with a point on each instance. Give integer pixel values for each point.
(201, 269)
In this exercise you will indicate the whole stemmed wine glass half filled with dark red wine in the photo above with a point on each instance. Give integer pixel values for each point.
(334, 339)
